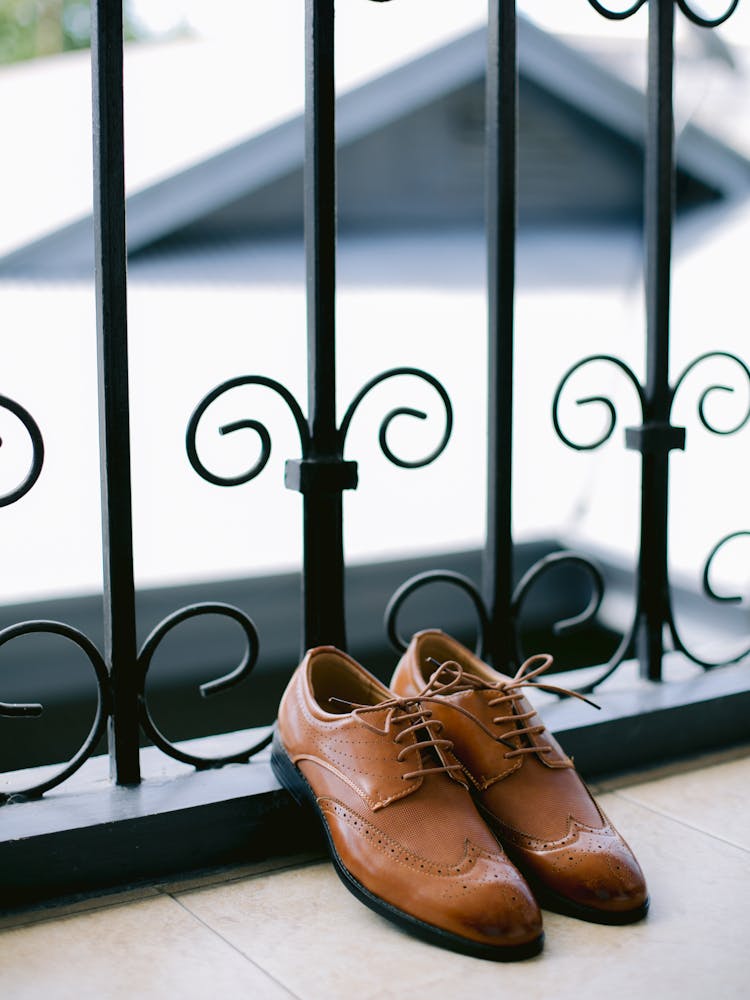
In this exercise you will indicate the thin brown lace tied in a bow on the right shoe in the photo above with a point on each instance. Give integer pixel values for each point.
(450, 678)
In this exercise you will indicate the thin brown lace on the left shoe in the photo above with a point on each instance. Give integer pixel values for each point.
(421, 722)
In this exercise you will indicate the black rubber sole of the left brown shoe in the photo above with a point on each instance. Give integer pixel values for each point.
(296, 784)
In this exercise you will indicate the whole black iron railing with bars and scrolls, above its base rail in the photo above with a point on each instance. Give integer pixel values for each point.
(321, 472)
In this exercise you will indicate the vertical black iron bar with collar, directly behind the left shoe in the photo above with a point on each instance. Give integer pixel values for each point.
(323, 570)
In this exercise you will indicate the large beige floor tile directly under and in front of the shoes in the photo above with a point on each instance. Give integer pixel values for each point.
(308, 932)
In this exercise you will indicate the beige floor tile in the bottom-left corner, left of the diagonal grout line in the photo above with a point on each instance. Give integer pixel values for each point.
(149, 949)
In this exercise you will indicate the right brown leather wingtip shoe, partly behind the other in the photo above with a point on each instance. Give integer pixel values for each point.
(526, 787)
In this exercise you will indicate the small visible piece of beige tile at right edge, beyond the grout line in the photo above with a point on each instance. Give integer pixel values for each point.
(712, 799)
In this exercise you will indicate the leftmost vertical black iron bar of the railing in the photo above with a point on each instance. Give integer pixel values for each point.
(112, 353)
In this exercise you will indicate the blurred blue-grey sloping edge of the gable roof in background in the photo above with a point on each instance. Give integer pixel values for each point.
(272, 157)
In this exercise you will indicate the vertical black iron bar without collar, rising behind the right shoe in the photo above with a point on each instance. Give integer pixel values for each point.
(501, 138)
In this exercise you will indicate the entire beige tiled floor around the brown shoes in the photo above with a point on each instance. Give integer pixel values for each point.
(296, 932)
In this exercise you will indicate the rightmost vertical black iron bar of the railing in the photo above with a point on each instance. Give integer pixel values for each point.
(653, 581)
